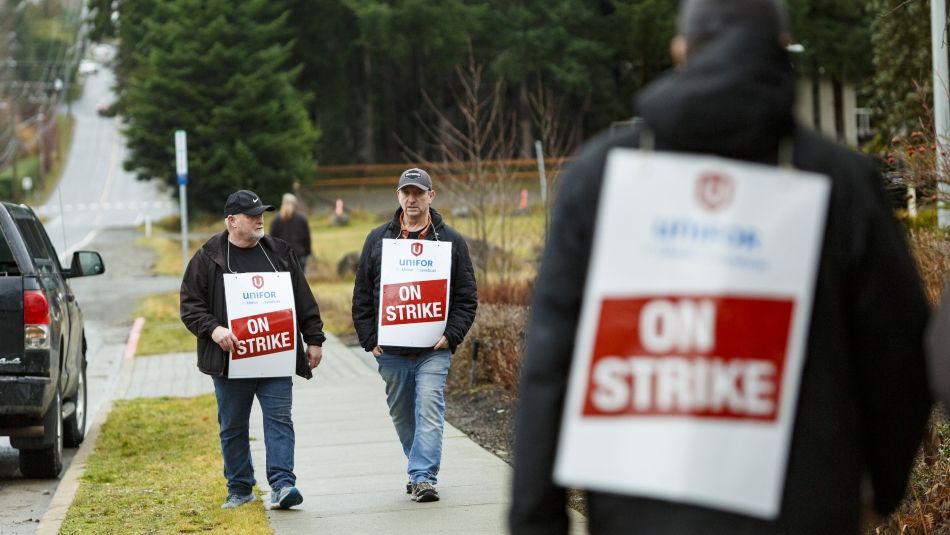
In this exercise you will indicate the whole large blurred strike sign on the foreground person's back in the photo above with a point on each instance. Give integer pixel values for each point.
(692, 333)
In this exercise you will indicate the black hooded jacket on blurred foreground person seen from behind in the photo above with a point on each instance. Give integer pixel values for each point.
(863, 401)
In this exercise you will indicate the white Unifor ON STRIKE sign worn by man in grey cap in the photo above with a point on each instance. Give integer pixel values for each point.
(414, 292)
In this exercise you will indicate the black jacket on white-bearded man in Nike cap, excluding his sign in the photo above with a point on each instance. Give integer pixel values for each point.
(203, 307)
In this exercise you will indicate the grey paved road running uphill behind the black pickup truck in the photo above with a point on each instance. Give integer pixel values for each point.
(100, 204)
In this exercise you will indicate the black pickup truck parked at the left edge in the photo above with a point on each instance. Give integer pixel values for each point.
(42, 343)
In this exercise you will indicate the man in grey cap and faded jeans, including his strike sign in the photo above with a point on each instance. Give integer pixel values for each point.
(414, 300)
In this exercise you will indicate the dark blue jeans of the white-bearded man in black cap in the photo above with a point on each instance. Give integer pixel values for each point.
(235, 397)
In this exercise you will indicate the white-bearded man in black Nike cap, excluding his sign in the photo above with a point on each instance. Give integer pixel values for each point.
(243, 248)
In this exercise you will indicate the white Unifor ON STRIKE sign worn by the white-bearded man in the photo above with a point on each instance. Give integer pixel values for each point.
(263, 318)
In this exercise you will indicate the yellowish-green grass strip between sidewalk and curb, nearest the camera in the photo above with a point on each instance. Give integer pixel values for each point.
(157, 469)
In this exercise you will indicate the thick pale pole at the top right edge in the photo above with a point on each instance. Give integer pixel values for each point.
(938, 31)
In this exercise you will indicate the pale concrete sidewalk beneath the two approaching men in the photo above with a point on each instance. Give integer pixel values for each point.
(349, 464)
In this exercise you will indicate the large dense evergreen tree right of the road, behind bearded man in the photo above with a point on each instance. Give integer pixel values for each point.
(217, 69)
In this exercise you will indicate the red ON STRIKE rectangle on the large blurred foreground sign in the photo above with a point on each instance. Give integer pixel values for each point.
(696, 356)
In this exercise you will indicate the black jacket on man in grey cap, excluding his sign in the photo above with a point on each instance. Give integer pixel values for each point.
(463, 296)
